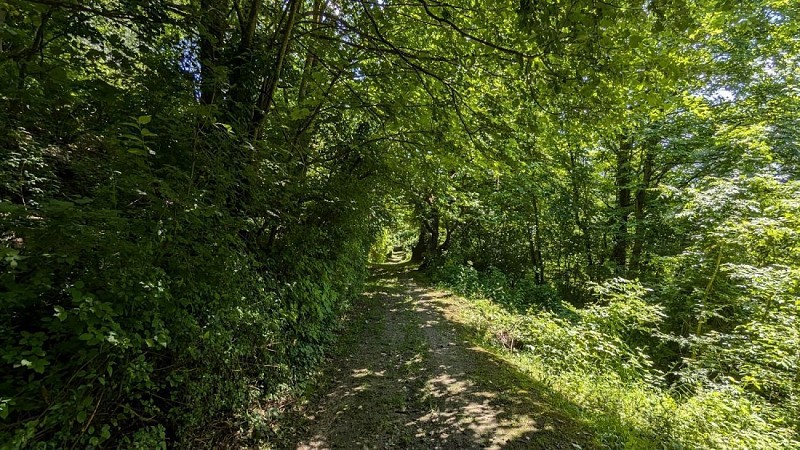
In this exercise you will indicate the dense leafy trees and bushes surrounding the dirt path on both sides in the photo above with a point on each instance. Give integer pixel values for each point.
(191, 190)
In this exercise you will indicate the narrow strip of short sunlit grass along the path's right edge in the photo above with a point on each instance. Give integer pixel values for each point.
(625, 413)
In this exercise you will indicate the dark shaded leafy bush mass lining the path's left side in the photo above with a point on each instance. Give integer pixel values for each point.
(139, 313)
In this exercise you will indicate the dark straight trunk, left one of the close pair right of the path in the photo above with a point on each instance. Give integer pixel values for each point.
(619, 252)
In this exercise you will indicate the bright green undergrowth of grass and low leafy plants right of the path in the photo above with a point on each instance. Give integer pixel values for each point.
(597, 358)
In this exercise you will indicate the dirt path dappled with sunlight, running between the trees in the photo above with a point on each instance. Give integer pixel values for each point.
(408, 373)
